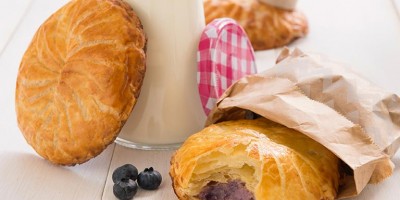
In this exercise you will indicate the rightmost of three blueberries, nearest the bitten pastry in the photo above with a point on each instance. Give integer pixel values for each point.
(149, 179)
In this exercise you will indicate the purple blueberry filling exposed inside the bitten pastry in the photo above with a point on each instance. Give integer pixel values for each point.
(233, 190)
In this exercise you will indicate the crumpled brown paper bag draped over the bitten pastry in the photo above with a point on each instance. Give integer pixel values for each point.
(357, 121)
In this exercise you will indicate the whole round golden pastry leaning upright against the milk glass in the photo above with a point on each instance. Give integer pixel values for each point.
(79, 79)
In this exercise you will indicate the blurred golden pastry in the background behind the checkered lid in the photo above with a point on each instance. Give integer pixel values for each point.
(267, 26)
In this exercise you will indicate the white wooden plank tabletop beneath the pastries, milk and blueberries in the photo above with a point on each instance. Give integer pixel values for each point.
(362, 33)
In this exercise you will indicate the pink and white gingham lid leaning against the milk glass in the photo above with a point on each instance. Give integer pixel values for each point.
(224, 55)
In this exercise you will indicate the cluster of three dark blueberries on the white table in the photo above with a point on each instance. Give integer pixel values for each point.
(124, 178)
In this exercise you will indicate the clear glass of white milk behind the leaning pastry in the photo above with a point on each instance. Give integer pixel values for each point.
(169, 107)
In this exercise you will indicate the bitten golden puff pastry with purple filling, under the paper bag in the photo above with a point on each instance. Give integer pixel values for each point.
(253, 159)
